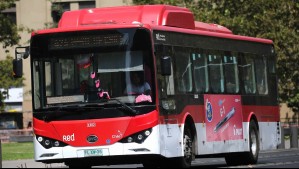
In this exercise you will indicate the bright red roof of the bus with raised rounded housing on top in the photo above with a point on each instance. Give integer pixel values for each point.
(162, 17)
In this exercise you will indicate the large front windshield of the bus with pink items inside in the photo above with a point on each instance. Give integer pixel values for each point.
(92, 67)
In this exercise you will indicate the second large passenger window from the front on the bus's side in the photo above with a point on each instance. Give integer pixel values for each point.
(200, 72)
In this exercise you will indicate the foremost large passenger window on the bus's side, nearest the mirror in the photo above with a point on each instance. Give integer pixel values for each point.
(183, 70)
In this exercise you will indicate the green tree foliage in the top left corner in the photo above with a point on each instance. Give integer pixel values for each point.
(8, 29)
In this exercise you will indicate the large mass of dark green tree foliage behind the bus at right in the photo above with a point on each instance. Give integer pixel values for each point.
(277, 20)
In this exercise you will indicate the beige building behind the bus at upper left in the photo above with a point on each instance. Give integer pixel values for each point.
(36, 15)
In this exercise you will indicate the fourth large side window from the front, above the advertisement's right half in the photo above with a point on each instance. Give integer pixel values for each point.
(231, 73)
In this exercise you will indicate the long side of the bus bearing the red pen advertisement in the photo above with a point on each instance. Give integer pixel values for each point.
(222, 118)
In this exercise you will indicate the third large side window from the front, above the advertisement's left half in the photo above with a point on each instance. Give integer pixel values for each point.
(216, 73)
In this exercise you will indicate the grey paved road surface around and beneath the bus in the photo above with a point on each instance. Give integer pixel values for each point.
(285, 158)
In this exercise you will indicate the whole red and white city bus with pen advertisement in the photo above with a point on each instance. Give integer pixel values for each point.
(213, 93)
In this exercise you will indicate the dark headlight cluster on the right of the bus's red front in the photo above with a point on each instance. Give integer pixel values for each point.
(137, 137)
